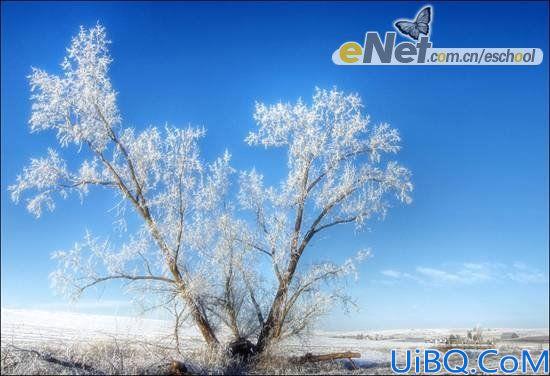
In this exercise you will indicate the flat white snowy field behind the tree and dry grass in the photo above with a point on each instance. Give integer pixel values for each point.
(28, 328)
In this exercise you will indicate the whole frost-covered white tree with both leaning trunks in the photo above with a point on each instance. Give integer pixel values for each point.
(197, 250)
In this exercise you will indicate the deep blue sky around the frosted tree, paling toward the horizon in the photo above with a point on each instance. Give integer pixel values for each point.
(473, 246)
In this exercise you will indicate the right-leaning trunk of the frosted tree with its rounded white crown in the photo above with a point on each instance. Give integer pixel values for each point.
(338, 174)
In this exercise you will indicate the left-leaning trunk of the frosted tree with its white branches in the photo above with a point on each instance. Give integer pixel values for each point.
(157, 173)
